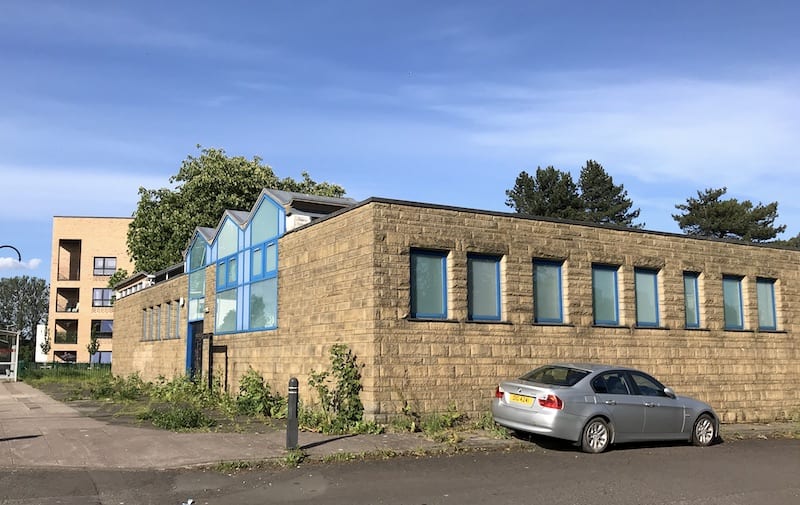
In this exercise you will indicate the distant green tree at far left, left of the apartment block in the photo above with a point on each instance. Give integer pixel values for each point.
(23, 305)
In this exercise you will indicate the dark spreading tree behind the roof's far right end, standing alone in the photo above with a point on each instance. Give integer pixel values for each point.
(709, 215)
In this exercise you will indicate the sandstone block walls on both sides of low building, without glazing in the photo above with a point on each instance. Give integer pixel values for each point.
(347, 279)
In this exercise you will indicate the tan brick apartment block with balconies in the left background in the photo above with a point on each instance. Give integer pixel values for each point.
(86, 251)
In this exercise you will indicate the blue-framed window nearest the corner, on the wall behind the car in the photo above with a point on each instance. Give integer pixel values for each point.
(428, 284)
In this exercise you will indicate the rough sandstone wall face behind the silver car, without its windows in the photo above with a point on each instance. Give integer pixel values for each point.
(746, 375)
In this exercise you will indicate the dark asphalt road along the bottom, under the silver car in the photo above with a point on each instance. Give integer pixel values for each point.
(747, 472)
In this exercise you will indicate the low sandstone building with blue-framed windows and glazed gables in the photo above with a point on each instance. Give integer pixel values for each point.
(439, 303)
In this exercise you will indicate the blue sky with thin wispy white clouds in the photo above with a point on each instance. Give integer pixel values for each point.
(440, 102)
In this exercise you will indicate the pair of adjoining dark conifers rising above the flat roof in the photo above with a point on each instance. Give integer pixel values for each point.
(553, 193)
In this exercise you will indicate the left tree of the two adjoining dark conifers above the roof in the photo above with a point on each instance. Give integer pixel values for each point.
(551, 193)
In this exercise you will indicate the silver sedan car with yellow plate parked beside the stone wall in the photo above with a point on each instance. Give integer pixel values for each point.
(599, 405)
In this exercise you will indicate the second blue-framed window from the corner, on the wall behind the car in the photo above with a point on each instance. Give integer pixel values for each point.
(483, 287)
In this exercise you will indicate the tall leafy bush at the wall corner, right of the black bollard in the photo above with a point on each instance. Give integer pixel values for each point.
(338, 391)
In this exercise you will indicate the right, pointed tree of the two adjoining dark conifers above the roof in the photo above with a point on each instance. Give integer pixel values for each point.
(603, 201)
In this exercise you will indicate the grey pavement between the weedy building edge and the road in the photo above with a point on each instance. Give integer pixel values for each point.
(37, 431)
